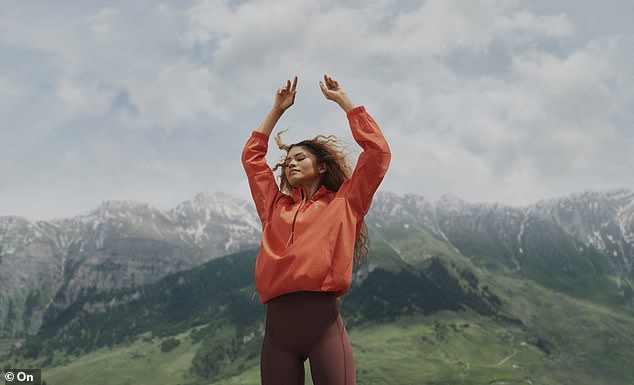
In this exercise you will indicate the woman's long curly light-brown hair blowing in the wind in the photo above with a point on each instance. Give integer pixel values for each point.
(329, 151)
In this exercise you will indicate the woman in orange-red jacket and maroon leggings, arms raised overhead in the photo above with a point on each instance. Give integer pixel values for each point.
(311, 230)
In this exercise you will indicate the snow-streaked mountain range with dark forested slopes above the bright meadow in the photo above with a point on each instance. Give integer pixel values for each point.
(127, 268)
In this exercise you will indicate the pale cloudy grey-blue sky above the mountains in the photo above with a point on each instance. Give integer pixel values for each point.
(490, 100)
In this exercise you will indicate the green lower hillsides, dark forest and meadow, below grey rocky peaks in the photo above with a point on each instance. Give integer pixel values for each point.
(425, 314)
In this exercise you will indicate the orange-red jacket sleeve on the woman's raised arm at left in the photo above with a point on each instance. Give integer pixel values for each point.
(264, 189)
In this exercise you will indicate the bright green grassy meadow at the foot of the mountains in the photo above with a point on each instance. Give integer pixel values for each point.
(562, 341)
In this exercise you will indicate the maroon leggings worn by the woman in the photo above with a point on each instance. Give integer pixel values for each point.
(300, 326)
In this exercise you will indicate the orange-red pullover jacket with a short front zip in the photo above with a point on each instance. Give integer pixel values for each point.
(308, 244)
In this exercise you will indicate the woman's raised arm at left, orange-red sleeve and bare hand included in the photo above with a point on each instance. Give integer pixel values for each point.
(264, 189)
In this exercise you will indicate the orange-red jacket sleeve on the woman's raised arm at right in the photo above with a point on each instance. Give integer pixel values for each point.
(372, 163)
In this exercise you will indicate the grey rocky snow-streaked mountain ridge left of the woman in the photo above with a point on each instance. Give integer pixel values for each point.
(46, 265)
